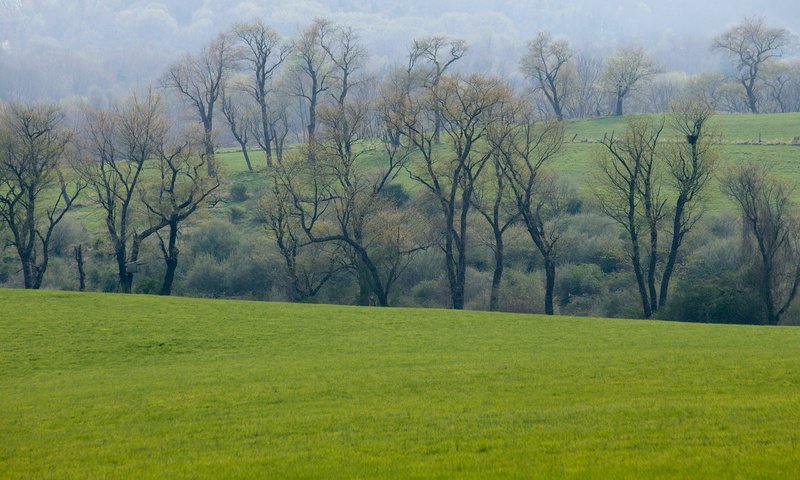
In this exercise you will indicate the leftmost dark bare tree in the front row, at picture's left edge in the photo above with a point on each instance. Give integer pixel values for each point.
(32, 150)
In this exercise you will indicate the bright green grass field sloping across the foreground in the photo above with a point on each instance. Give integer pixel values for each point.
(107, 386)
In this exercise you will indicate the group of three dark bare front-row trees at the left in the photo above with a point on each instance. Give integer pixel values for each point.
(145, 178)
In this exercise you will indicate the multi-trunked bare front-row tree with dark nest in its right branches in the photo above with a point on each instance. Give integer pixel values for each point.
(639, 176)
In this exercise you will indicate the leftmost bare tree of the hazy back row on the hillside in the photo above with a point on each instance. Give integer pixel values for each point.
(199, 79)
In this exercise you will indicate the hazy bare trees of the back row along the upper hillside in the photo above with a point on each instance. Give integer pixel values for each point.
(268, 87)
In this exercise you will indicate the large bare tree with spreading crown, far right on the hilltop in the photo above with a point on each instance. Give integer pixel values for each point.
(750, 45)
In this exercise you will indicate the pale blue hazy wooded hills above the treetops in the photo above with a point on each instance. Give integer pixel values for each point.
(55, 49)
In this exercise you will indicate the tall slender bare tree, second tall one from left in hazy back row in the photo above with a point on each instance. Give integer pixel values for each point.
(264, 53)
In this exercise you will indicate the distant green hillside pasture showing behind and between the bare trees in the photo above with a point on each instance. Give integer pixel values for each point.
(577, 162)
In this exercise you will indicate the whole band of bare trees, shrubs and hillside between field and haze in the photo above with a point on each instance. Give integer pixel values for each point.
(267, 167)
